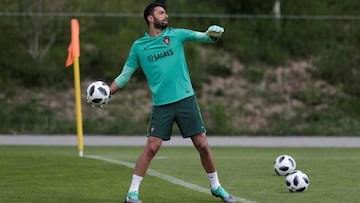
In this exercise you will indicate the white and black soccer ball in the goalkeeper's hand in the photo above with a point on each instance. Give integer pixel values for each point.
(98, 93)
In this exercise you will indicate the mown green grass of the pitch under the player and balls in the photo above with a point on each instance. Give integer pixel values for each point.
(57, 174)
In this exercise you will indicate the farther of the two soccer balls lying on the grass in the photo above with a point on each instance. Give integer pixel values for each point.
(284, 164)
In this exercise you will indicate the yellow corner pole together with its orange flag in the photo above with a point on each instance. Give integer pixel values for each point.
(73, 58)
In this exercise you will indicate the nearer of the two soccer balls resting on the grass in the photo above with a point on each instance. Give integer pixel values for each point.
(297, 181)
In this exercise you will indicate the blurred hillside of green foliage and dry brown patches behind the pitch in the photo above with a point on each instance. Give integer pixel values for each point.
(294, 75)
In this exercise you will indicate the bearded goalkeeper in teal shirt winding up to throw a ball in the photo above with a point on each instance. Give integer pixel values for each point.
(160, 54)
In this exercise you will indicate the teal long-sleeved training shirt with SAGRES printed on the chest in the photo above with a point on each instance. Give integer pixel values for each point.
(163, 62)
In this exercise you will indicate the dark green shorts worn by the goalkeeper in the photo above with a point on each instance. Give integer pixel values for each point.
(185, 113)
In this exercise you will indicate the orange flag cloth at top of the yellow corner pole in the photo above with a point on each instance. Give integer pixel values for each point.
(74, 47)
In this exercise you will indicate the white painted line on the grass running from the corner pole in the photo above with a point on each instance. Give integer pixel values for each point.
(163, 176)
